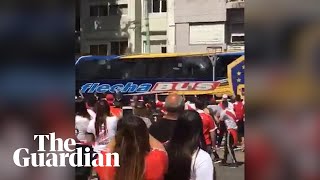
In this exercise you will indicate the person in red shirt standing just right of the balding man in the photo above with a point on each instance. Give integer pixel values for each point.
(209, 129)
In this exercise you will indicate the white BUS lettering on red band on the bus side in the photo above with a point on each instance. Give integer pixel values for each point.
(184, 86)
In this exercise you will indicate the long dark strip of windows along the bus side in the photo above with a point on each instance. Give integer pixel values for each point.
(185, 67)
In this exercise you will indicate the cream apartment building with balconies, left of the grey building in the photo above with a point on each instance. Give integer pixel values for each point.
(118, 26)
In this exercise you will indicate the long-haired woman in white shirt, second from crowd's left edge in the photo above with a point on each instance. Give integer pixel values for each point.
(103, 127)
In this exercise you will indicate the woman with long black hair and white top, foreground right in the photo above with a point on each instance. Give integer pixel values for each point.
(187, 159)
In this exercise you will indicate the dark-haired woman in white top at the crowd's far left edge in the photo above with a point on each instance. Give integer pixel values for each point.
(82, 120)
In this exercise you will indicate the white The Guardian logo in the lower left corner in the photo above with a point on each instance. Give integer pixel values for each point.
(62, 155)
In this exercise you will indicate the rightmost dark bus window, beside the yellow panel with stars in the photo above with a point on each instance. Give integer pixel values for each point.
(221, 68)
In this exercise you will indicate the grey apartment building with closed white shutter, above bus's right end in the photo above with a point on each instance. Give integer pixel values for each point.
(204, 24)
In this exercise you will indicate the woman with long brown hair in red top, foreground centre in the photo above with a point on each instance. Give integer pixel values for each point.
(140, 159)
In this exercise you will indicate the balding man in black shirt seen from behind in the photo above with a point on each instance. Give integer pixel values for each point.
(164, 127)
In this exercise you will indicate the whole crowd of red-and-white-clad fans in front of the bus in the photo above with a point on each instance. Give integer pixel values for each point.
(176, 138)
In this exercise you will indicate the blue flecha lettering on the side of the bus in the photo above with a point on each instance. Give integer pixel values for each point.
(130, 87)
